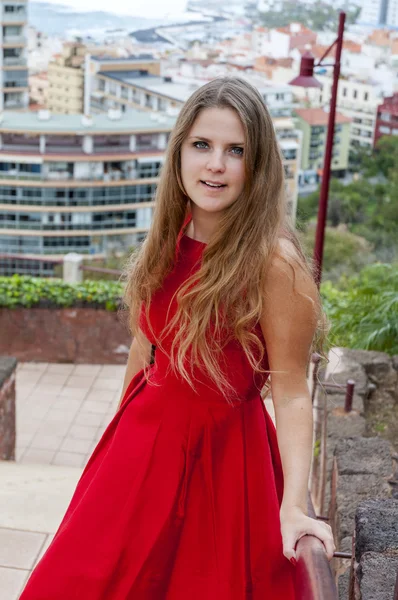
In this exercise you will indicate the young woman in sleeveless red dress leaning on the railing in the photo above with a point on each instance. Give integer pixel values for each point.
(191, 494)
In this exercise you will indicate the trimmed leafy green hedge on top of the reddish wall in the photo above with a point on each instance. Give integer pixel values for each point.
(23, 291)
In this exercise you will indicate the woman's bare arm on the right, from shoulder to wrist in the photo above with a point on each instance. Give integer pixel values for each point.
(288, 324)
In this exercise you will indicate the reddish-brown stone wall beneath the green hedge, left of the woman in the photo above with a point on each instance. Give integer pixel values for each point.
(75, 335)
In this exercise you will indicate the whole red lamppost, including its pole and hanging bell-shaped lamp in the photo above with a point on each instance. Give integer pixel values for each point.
(306, 79)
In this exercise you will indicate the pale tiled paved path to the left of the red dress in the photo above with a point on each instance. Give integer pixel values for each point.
(62, 411)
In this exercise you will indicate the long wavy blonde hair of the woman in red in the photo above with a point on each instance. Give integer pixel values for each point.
(226, 293)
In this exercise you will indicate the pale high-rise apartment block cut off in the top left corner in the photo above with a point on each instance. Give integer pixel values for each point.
(14, 94)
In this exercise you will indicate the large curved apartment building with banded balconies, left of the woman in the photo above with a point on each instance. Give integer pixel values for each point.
(71, 183)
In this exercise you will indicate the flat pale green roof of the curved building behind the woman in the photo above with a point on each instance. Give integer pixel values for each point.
(134, 121)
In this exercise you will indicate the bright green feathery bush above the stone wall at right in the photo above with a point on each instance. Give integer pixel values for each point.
(363, 310)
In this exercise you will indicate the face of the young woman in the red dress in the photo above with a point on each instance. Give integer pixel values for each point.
(212, 163)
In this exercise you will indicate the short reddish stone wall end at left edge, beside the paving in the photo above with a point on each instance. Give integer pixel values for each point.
(7, 408)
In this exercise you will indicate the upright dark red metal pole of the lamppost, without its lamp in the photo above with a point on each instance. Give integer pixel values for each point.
(323, 197)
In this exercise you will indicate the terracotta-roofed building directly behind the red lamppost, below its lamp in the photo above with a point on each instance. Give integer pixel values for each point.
(313, 123)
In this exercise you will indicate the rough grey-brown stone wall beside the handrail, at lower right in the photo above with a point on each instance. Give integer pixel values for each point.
(356, 454)
